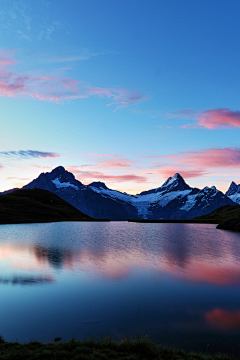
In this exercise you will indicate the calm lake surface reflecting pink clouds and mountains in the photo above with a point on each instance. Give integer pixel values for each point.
(176, 283)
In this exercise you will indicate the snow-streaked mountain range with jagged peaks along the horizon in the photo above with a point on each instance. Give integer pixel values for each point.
(175, 199)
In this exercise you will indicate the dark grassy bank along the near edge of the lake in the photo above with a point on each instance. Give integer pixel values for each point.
(127, 349)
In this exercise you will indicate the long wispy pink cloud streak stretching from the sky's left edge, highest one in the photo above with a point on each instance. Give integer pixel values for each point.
(57, 89)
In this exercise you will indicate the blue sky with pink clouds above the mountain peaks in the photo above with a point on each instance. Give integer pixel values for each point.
(127, 92)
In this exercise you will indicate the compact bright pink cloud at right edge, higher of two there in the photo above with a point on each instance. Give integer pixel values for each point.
(208, 119)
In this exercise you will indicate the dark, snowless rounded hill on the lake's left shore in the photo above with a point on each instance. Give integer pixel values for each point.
(36, 205)
